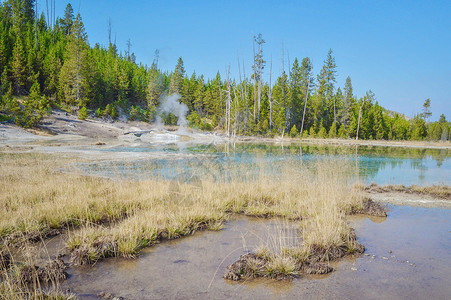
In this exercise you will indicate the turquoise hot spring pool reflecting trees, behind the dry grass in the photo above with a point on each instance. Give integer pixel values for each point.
(382, 165)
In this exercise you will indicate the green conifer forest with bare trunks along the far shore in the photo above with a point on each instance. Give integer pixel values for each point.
(49, 64)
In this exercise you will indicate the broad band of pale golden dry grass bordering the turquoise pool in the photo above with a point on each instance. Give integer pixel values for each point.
(119, 217)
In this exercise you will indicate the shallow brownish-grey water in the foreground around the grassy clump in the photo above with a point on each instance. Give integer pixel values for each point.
(192, 267)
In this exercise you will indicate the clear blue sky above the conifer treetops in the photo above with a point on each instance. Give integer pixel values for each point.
(401, 50)
